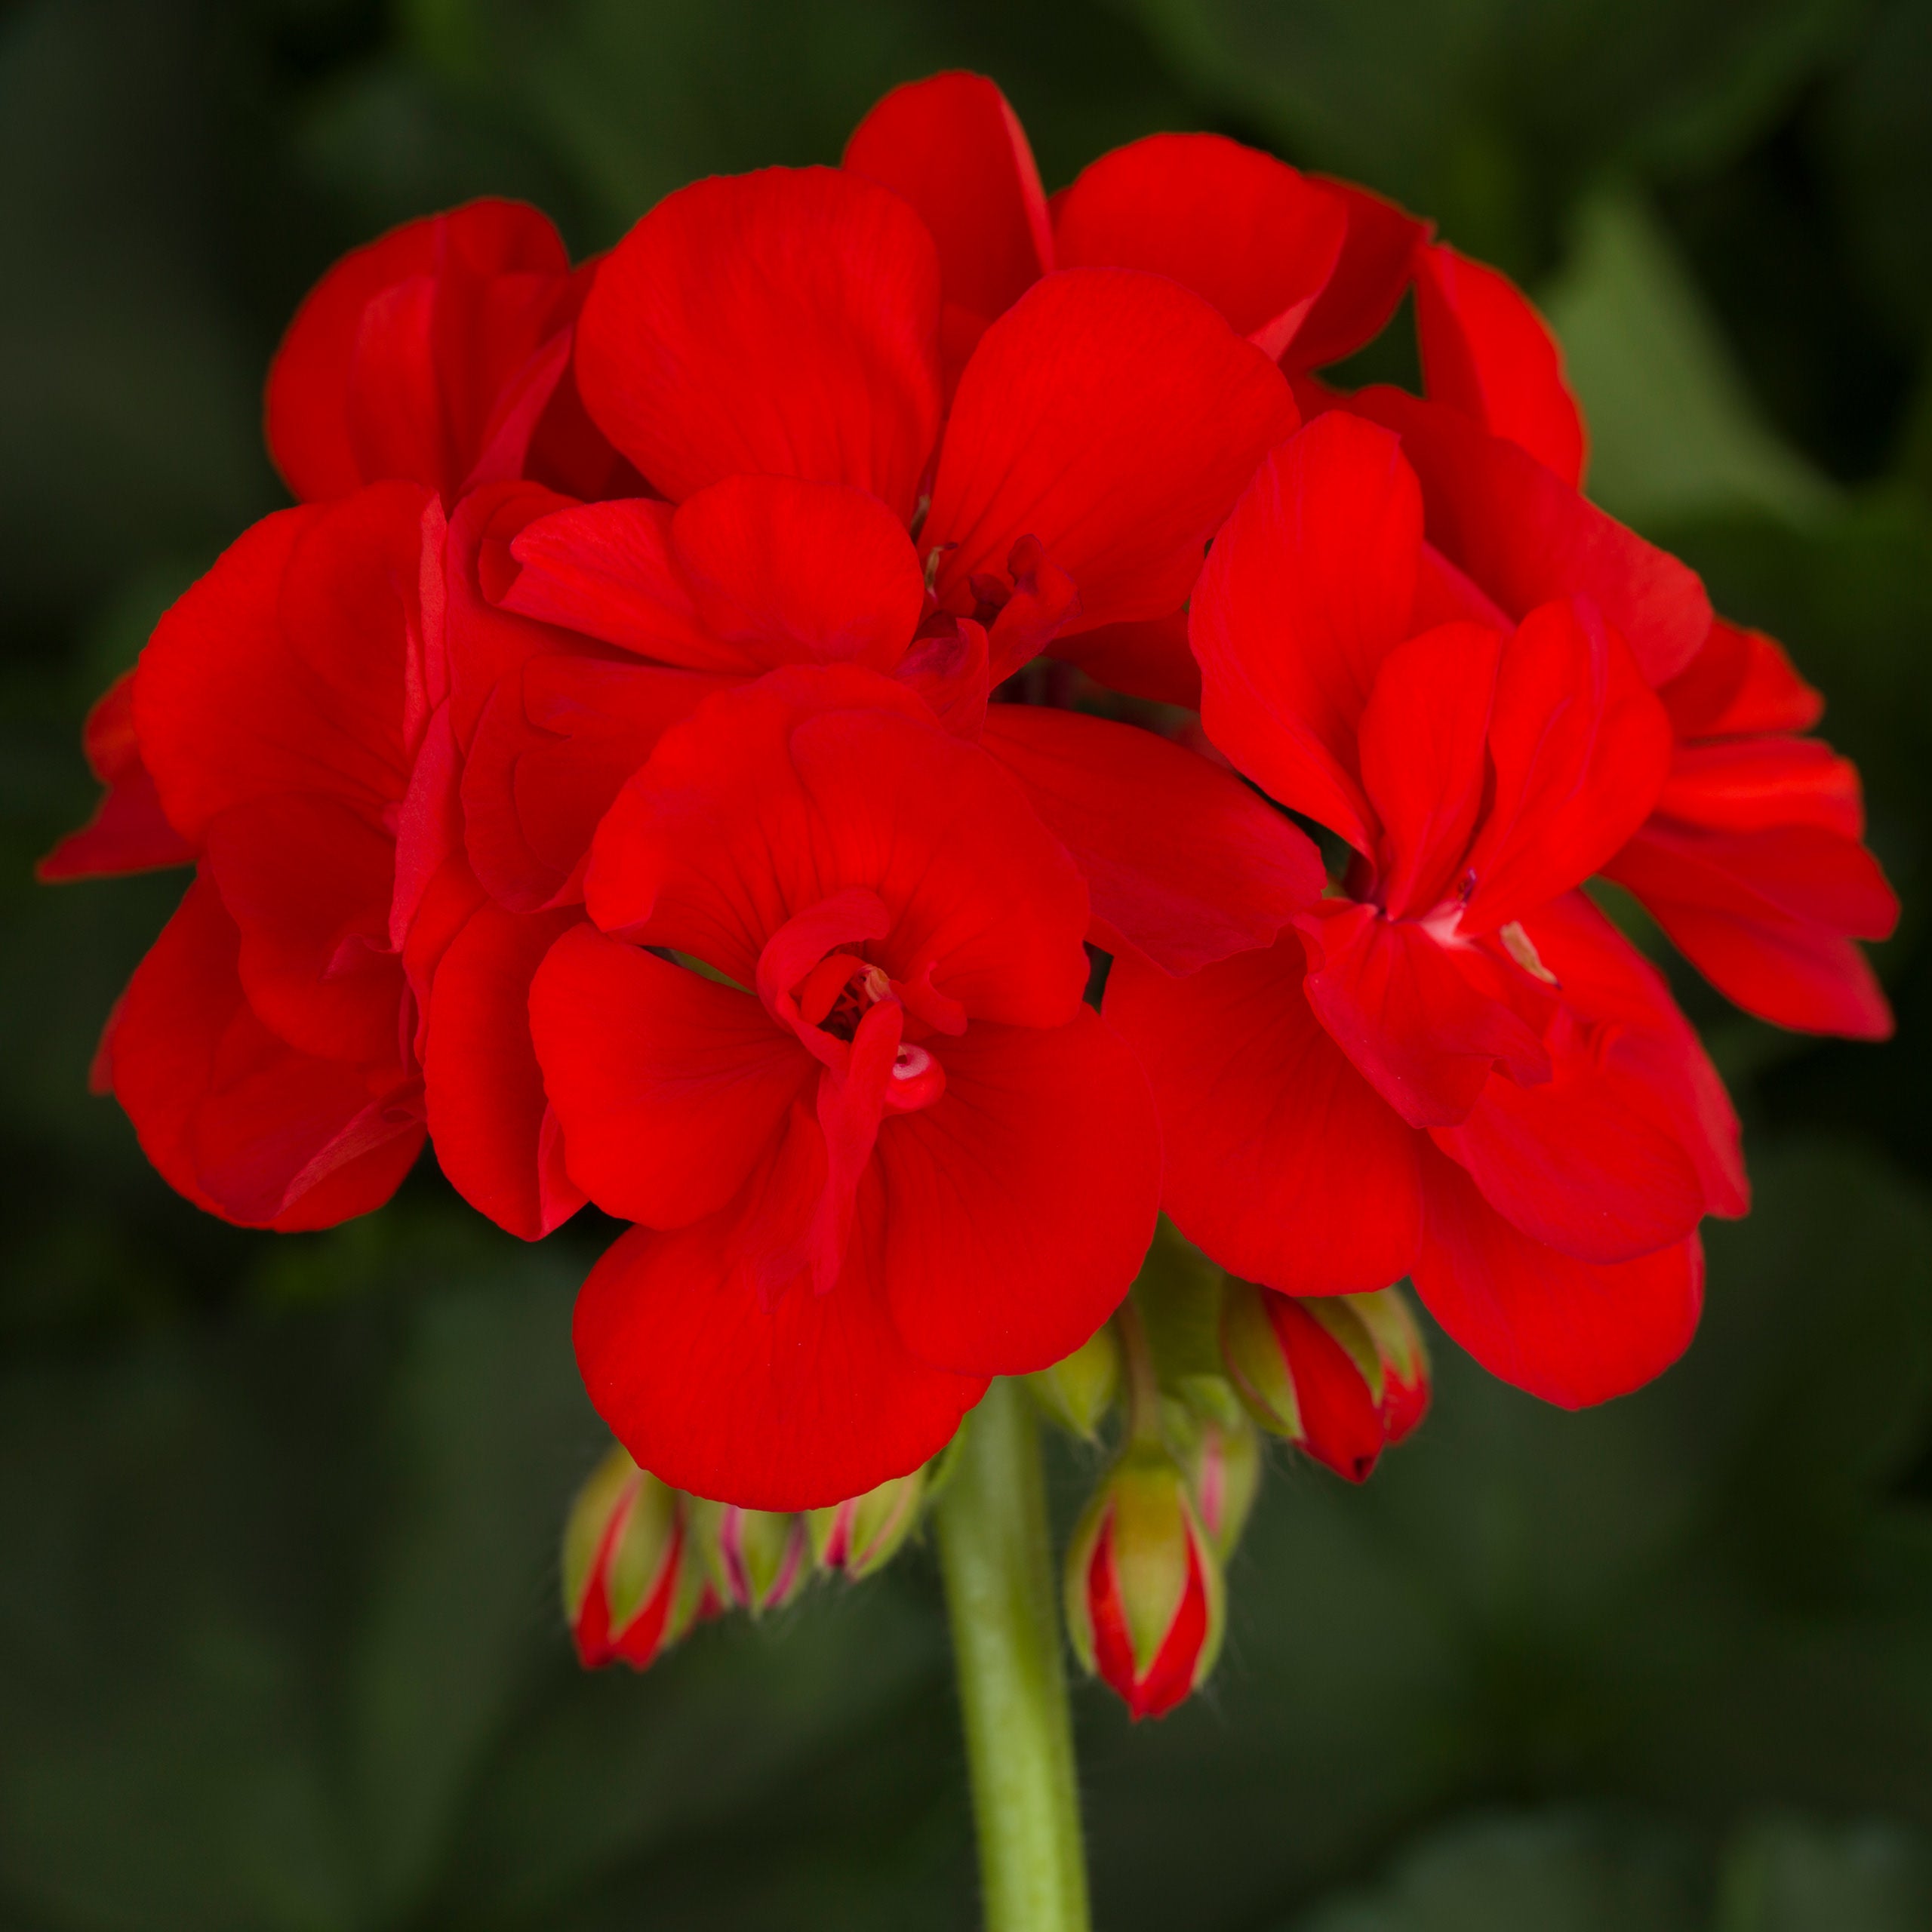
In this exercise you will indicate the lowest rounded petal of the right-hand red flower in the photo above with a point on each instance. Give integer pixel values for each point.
(1564, 1330)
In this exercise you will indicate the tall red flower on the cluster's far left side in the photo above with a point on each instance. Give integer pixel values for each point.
(264, 1048)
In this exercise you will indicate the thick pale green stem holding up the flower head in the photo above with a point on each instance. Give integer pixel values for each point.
(1013, 1688)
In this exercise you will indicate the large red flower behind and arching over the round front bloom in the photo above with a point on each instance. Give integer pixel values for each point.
(577, 633)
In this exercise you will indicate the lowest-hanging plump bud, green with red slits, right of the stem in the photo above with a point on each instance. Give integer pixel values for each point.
(1145, 1585)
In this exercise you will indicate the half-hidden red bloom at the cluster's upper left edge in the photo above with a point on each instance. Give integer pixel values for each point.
(440, 355)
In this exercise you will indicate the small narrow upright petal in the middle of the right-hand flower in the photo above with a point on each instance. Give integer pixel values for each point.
(1425, 758)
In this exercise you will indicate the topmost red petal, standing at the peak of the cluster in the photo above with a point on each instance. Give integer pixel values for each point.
(959, 156)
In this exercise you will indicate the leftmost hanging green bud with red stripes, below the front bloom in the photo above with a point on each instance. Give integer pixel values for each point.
(629, 1583)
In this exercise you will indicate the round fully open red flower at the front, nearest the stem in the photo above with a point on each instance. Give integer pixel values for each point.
(876, 1143)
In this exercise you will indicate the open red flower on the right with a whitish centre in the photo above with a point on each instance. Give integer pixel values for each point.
(1456, 1069)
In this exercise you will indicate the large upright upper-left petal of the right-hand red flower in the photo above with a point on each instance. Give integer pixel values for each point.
(1305, 594)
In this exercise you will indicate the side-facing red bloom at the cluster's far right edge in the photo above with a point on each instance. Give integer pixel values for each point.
(1753, 859)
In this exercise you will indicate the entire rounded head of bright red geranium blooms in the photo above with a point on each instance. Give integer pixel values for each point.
(691, 751)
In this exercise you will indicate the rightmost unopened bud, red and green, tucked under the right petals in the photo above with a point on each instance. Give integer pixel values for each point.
(1338, 1375)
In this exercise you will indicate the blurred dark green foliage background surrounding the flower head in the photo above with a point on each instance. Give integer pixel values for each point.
(279, 1645)
